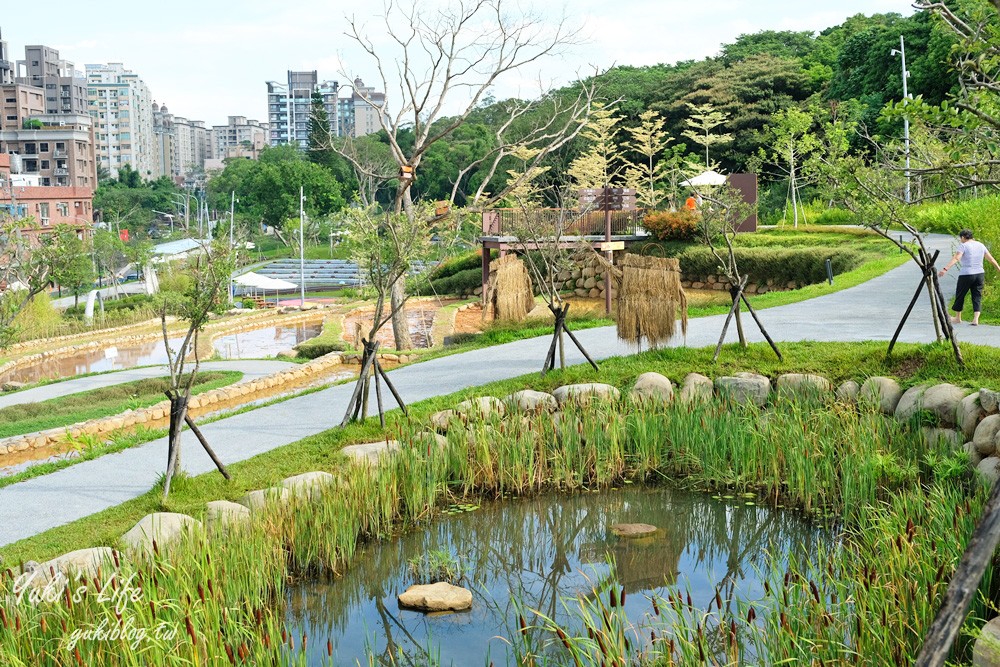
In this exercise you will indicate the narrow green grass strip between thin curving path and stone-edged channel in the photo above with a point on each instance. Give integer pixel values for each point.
(106, 401)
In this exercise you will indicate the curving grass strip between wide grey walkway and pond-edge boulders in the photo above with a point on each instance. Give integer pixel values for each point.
(912, 364)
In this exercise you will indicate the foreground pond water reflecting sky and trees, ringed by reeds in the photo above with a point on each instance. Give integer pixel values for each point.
(538, 552)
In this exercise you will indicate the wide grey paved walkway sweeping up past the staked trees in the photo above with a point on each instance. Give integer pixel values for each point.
(866, 312)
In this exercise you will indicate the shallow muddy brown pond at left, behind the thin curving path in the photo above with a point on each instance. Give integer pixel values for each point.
(255, 344)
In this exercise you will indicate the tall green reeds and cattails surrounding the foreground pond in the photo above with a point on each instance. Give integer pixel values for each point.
(906, 510)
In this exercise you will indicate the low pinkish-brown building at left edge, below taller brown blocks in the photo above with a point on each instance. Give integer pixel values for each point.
(22, 197)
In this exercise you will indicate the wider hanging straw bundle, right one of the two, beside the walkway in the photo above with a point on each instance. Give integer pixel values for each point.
(650, 300)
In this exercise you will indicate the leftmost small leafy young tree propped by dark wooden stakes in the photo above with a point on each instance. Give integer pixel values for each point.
(209, 273)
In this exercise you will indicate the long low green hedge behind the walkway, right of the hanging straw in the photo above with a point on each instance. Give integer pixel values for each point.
(804, 266)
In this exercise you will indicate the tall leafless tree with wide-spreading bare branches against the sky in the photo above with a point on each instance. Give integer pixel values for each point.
(436, 55)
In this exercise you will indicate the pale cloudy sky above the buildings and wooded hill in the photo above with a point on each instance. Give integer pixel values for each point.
(208, 60)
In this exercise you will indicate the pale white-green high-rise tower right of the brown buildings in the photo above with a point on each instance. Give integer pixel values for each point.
(120, 105)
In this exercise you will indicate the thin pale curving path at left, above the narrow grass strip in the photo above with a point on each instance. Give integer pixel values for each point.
(251, 369)
